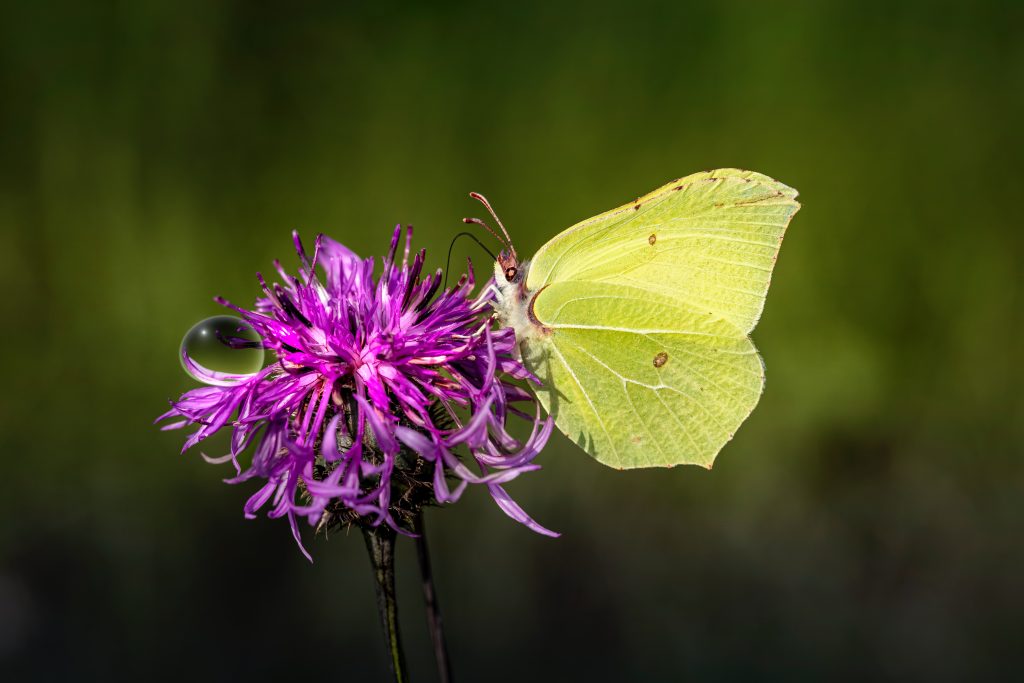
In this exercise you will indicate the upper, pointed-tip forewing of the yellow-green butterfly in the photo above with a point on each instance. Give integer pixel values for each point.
(710, 240)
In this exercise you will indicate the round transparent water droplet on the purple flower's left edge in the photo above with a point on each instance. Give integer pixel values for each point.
(222, 351)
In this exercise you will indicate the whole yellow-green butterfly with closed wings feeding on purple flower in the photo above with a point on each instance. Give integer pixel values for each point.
(637, 321)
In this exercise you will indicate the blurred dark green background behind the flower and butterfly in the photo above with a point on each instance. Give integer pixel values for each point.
(867, 522)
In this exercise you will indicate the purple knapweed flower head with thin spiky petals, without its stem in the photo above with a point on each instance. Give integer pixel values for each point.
(385, 396)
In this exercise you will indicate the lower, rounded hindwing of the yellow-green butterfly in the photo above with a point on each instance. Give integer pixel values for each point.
(657, 383)
